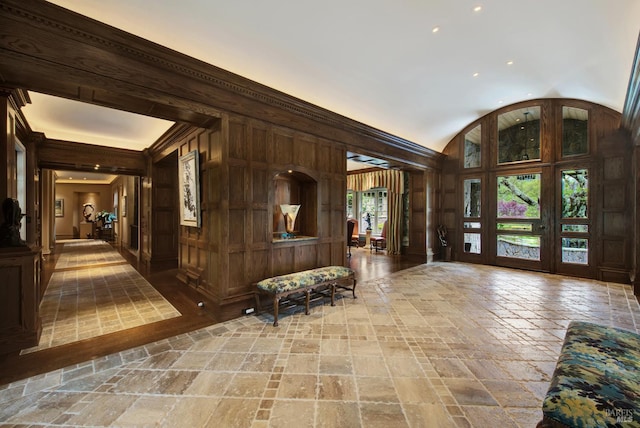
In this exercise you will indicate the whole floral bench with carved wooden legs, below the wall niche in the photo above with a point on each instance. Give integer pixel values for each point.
(306, 282)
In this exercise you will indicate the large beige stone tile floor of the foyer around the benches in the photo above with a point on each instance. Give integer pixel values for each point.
(437, 345)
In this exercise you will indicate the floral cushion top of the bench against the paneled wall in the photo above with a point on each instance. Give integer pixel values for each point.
(307, 278)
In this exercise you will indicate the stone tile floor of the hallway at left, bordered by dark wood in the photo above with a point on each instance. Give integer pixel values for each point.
(86, 298)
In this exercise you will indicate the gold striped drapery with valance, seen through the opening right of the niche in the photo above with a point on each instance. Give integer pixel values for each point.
(392, 181)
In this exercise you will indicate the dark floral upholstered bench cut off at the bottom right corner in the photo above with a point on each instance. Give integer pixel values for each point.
(596, 382)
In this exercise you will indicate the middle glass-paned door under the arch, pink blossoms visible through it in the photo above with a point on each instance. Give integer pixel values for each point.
(521, 213)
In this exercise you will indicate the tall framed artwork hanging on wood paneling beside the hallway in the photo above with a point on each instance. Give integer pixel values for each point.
(189, 190)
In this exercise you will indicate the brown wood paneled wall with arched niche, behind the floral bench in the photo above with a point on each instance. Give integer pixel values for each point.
(244, 170)
